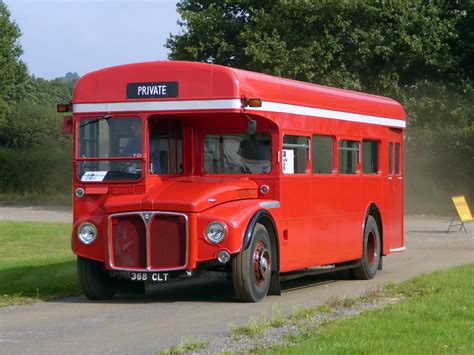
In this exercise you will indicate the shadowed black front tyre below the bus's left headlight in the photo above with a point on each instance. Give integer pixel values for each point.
(95, 281)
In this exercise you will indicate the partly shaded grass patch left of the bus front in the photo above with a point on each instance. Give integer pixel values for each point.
(36, 262)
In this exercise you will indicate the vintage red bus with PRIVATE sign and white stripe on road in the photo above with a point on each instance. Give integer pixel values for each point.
(185, 169)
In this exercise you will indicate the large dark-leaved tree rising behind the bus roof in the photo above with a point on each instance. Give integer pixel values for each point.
(365, 45)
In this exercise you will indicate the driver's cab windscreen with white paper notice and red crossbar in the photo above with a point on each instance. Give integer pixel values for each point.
(104, 138)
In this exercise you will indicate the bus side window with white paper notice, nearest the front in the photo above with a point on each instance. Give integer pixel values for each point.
(295, 155)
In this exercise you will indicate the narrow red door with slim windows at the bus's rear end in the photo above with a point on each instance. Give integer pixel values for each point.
(395, 188)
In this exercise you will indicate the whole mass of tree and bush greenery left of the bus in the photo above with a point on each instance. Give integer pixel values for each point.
(34, 156)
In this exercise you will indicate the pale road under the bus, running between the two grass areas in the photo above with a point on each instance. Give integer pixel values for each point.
(202, 309)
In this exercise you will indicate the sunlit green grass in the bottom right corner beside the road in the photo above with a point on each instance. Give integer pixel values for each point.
(436, 316)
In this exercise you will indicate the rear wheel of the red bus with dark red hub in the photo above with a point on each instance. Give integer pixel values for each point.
(369, 263)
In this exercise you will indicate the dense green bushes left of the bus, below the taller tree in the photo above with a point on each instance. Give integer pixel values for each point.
(35, 157)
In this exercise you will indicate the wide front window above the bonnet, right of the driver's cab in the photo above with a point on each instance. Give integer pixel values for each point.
(238, 153)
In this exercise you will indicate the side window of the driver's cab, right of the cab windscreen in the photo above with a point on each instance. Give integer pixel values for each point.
(166, 146)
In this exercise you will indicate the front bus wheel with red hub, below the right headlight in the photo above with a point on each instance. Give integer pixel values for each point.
(251, 269)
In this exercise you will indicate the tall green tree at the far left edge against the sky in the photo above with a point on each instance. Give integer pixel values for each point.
(12, 69)
